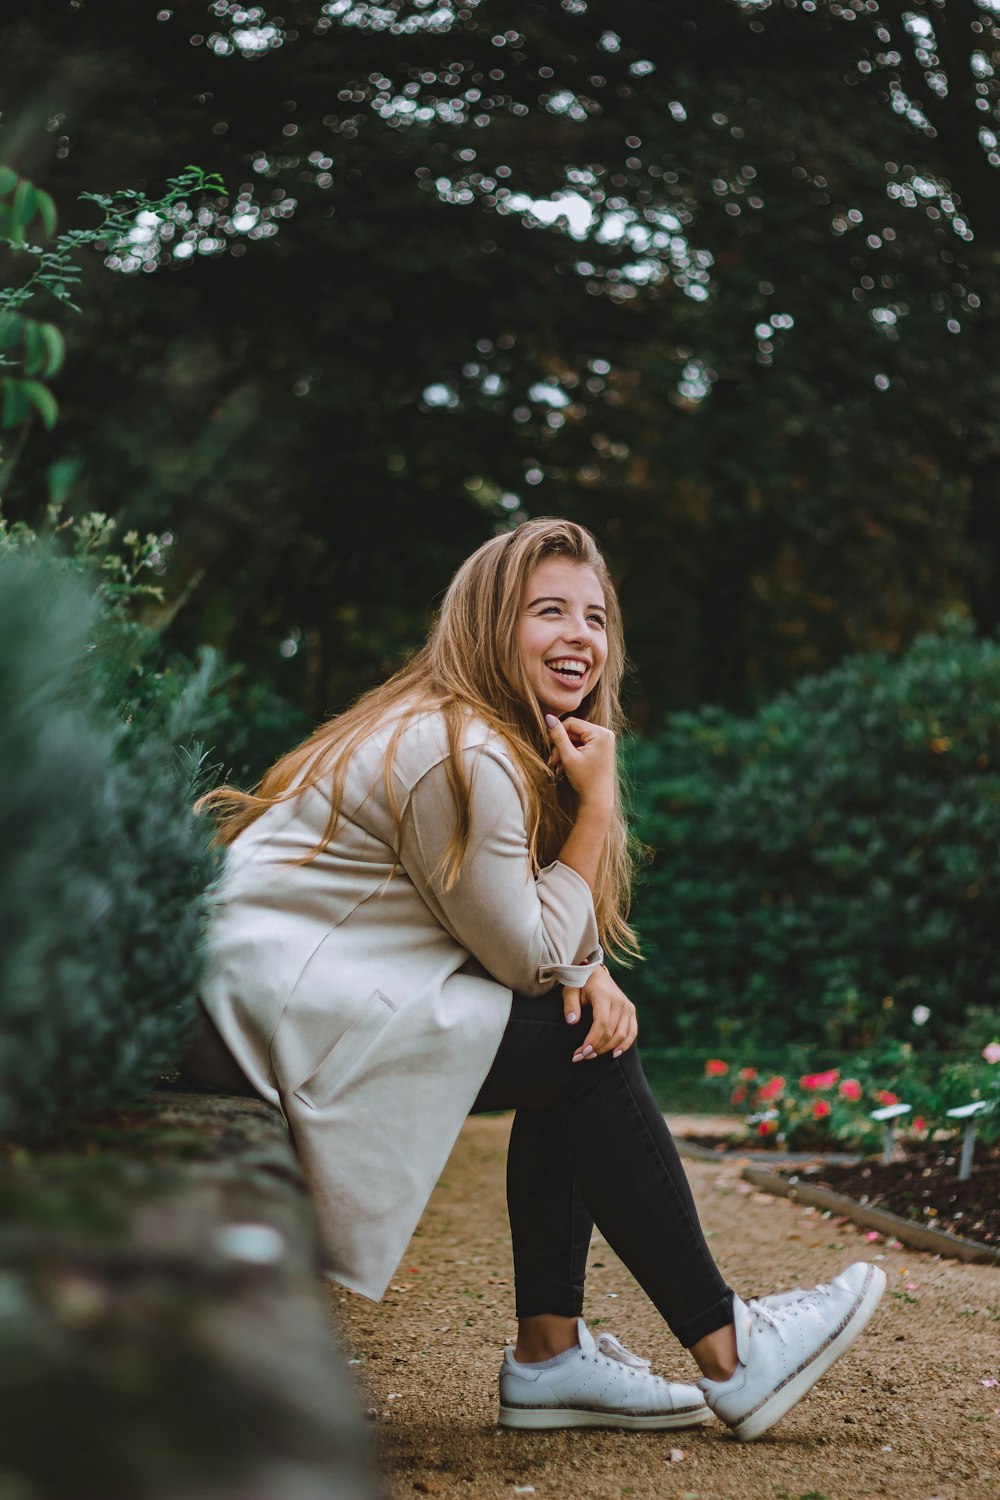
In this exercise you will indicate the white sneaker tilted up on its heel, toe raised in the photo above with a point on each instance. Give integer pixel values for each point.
(786, 1343)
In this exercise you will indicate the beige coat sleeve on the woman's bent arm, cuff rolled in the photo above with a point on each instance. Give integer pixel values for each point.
(528, 932)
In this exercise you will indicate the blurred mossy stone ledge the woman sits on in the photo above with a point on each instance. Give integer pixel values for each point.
(164, 1333)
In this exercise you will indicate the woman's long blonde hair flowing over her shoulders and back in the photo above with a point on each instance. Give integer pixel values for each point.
(472, 668)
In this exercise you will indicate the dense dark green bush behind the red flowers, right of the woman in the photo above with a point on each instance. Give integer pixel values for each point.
(830, 865)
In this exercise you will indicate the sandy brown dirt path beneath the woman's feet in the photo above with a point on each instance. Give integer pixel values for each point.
(912, 1412)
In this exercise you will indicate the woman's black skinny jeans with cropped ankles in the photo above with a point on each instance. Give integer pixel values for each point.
(590, 1147)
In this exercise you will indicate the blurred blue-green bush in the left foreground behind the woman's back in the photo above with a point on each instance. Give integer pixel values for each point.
(103, 865)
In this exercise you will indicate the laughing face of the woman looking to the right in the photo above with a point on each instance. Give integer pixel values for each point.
(563, 634)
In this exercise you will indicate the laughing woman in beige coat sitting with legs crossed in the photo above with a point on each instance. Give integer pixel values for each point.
(410, 929)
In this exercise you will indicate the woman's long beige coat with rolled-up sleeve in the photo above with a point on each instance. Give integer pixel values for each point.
(370, 1009)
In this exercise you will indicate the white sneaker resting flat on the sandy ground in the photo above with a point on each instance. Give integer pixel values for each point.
(602, 1384)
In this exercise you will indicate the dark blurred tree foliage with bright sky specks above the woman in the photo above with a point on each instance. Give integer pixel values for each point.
(719, 280)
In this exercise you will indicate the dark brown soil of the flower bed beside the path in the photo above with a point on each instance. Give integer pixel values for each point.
(924, 1187)
